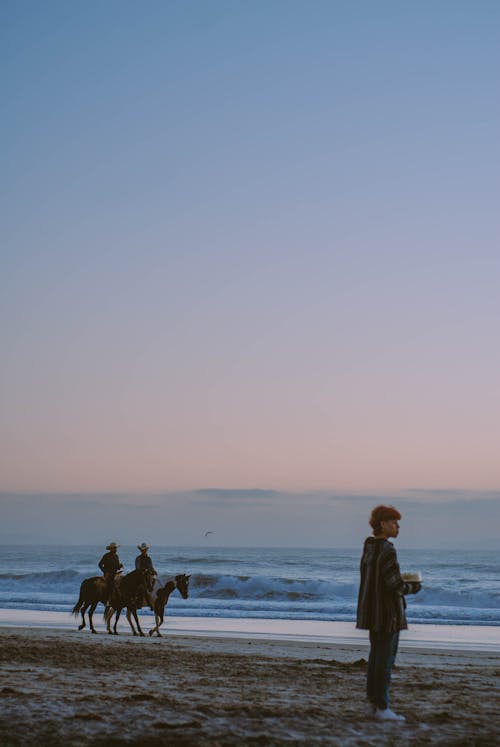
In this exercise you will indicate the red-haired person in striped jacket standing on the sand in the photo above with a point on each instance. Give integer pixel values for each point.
(381, 607)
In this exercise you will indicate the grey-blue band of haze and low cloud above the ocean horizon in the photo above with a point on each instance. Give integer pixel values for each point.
(431, 519)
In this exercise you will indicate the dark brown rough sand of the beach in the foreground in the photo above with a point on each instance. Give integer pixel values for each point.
(62, 687)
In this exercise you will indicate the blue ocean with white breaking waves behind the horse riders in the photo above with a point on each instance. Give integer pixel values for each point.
(459, 587)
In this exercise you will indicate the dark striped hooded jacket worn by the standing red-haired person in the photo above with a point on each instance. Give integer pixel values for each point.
(381, 602)
